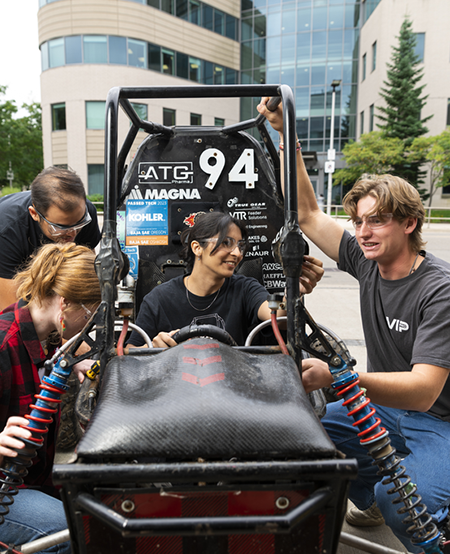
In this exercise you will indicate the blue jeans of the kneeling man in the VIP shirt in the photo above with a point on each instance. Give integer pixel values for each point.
(424, 442)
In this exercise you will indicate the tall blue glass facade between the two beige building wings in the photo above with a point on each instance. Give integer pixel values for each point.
(306, 45)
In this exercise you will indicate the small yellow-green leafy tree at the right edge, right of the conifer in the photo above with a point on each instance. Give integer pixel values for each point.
(436, 153)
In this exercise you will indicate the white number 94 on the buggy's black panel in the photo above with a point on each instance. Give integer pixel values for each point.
(242, 171)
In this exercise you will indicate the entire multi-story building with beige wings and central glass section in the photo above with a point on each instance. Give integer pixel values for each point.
(89, 46)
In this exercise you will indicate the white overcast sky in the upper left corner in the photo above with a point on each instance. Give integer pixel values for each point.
(20, 62)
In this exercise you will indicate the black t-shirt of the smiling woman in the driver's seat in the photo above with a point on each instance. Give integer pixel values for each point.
(166, 308)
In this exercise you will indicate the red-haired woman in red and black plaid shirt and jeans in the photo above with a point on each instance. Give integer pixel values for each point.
(58, 291)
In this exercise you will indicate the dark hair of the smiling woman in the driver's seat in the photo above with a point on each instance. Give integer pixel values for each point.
(206, 226)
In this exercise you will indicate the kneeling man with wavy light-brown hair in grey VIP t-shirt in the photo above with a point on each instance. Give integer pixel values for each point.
(405, 310)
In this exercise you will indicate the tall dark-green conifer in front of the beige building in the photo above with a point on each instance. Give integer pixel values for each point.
(401, 117)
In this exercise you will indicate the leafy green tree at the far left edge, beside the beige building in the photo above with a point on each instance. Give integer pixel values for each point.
(20, 142)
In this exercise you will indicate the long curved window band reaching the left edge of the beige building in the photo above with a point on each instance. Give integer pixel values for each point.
(103, 49)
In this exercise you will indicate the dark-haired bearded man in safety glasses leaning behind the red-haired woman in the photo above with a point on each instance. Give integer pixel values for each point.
(54, 210)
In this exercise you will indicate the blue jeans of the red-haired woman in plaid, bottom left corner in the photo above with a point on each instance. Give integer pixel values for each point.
(34, 515)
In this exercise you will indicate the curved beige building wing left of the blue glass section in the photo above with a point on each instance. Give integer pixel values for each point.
(90, 46)
